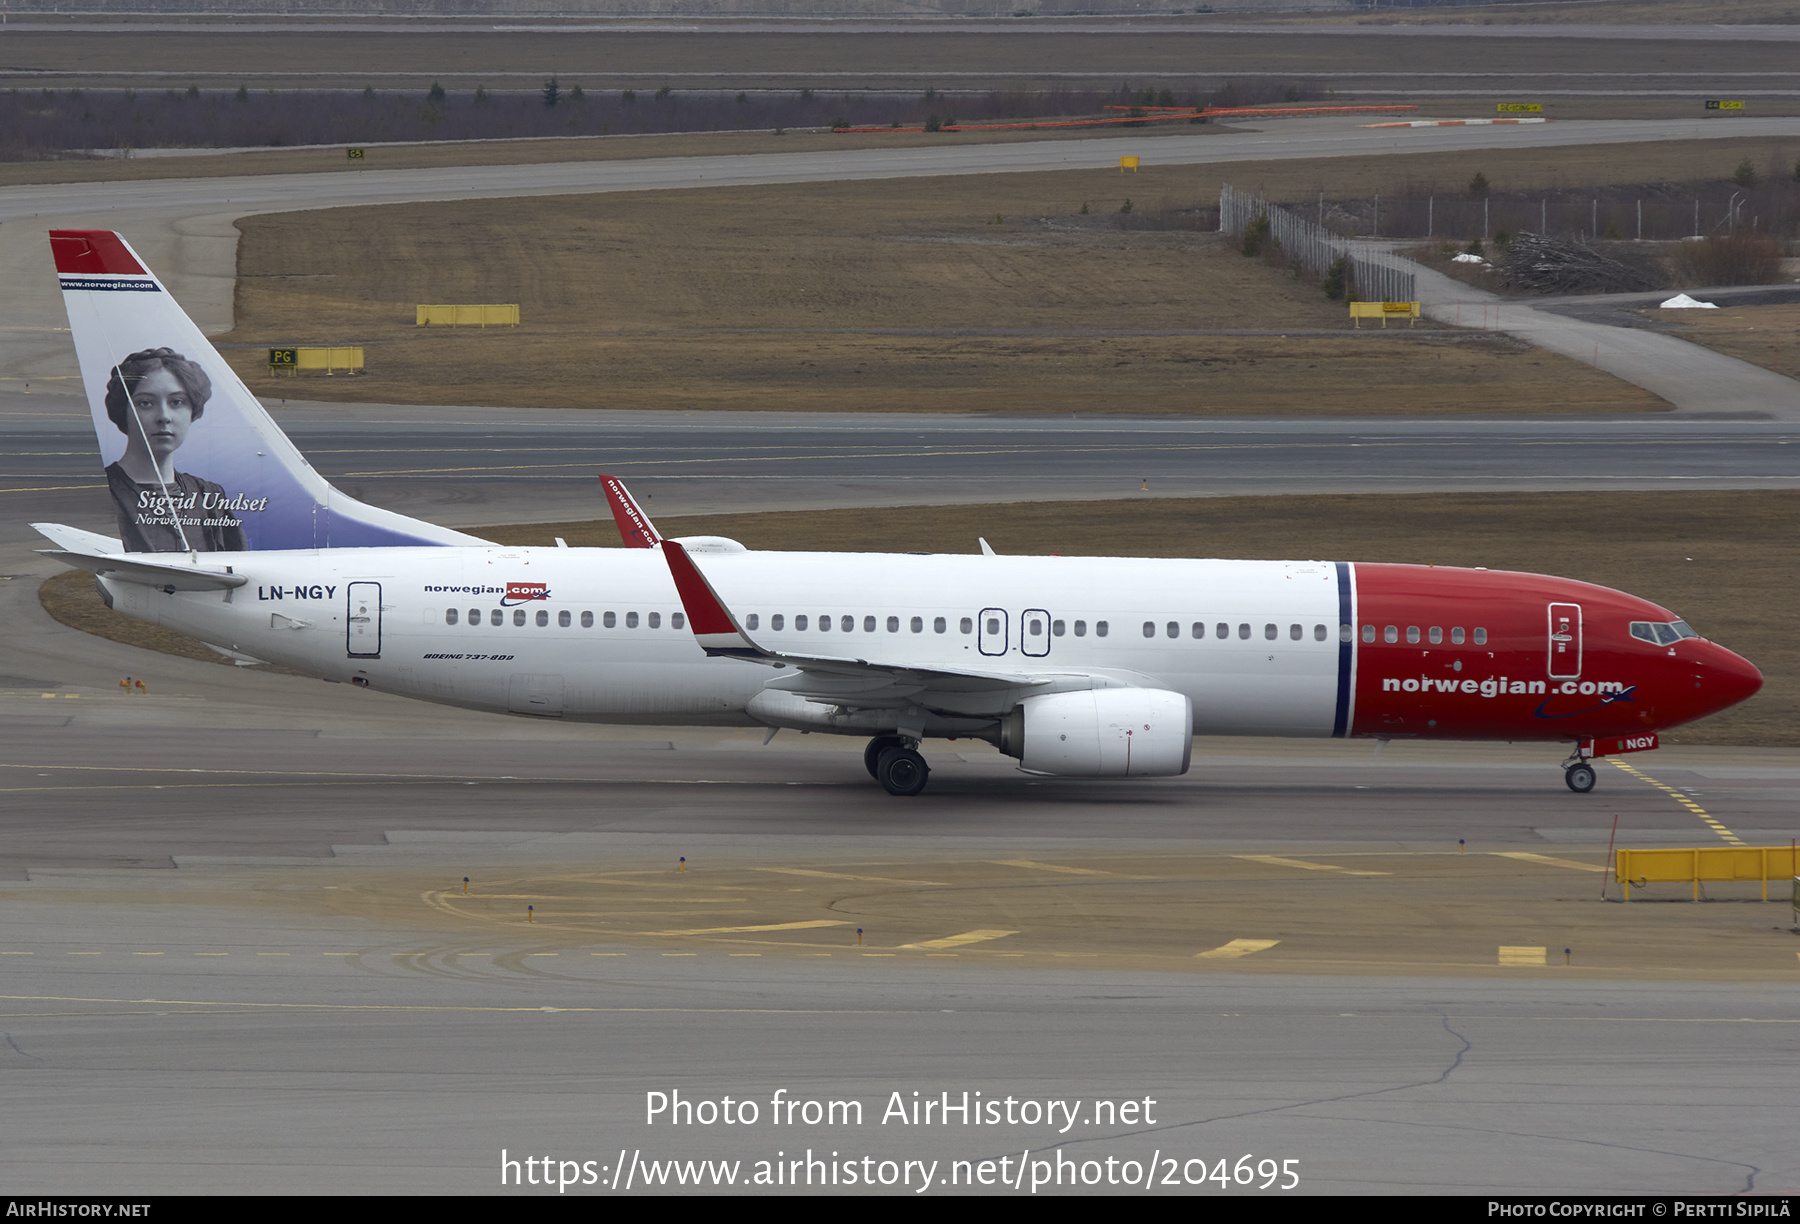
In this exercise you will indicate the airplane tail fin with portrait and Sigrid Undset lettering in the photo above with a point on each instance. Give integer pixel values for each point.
(193, 462)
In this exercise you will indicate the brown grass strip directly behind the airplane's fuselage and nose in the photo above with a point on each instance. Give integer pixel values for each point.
(1727, 562)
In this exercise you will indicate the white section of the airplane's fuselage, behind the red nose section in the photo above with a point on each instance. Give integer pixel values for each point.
(598, 634)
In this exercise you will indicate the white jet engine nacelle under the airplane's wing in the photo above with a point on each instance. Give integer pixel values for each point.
(1102, 733)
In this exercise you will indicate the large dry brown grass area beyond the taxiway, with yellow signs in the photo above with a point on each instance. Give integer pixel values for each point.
(775, 298)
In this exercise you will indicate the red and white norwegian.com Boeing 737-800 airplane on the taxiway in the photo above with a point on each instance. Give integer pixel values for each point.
(1075, 667)
